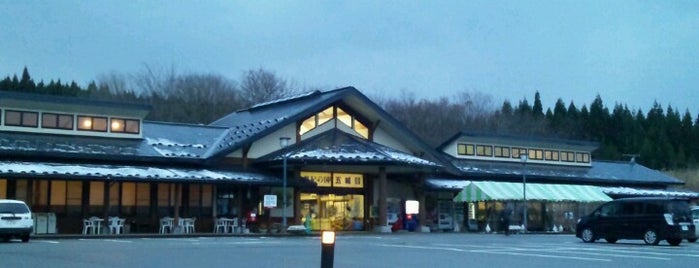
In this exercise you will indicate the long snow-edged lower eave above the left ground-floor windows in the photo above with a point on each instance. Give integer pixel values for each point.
(129, 172)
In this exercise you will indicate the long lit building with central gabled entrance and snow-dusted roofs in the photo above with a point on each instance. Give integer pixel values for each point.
(340, 160)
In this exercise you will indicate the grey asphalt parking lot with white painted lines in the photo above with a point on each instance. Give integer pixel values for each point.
(358, 250)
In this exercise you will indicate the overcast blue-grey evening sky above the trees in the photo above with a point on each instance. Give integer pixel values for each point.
(630, 52)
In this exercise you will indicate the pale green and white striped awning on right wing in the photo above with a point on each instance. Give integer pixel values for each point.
(503, 191)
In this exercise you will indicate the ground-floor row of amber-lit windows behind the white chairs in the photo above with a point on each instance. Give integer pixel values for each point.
(125, 199)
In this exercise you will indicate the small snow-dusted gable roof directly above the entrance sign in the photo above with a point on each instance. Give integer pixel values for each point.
(336, 146)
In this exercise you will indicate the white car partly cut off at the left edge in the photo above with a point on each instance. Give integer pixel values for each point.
(15, 220)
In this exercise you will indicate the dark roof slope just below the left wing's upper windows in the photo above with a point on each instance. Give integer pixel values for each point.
(160, 140)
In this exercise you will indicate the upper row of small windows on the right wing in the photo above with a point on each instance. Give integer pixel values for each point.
(516, 152)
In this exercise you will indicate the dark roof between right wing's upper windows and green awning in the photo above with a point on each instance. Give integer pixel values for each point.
(601, 172)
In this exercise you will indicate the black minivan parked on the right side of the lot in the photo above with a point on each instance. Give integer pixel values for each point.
(651, 219)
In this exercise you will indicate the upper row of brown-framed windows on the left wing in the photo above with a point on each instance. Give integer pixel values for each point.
(67, 122)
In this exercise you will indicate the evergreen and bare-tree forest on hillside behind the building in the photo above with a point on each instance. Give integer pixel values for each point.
(661, 138)
